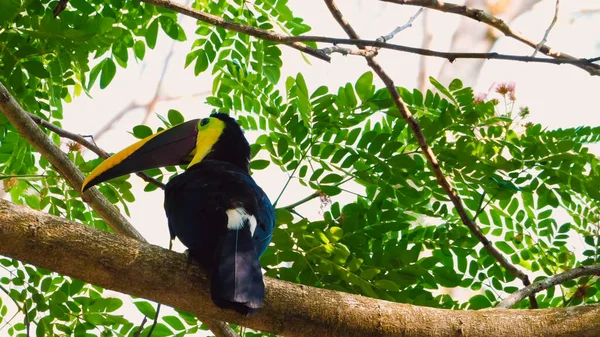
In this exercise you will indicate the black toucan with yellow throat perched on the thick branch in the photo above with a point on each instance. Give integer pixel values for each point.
(215, 208)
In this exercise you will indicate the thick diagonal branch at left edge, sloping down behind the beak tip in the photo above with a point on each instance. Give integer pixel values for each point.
(38, 139)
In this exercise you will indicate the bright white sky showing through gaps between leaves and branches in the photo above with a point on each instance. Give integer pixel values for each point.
(558, 96)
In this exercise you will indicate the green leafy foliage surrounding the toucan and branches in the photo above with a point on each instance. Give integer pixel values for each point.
(397, 238)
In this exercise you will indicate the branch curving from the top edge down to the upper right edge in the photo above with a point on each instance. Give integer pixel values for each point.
(482, 16)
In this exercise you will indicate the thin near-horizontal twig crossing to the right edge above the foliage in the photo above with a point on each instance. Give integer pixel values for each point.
(450, 56)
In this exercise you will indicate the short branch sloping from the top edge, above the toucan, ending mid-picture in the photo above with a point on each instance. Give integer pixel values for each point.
(237, 27)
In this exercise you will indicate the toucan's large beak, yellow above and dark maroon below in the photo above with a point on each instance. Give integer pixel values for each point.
(169, 147)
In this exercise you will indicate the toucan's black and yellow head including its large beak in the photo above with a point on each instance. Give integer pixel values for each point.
(217, 137)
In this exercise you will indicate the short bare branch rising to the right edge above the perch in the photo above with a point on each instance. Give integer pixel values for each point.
(549, 283)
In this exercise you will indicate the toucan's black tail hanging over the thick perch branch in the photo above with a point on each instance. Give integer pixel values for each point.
(237, 281)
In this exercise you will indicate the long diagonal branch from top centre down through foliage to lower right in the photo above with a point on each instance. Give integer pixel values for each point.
(431, 158)
